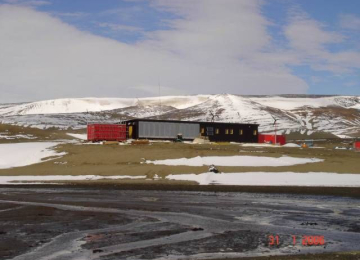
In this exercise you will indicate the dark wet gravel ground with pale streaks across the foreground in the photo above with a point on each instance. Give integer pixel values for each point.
(66, 222)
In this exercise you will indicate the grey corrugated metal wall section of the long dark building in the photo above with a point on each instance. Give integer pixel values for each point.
(168, 130)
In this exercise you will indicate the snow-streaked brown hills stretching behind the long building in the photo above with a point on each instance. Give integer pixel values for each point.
(338, 115)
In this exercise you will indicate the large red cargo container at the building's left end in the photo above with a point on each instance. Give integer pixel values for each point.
(106, 132)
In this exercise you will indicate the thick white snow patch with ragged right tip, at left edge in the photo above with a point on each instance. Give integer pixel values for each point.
(22, 154)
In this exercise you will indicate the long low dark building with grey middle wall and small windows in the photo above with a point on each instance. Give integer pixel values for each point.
(169, 129)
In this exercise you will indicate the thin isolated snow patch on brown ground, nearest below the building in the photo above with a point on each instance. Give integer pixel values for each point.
(236, 161)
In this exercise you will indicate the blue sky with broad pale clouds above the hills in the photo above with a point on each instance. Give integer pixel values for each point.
(128, 48)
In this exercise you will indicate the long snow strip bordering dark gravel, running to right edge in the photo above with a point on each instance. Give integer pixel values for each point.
(273, 179)
